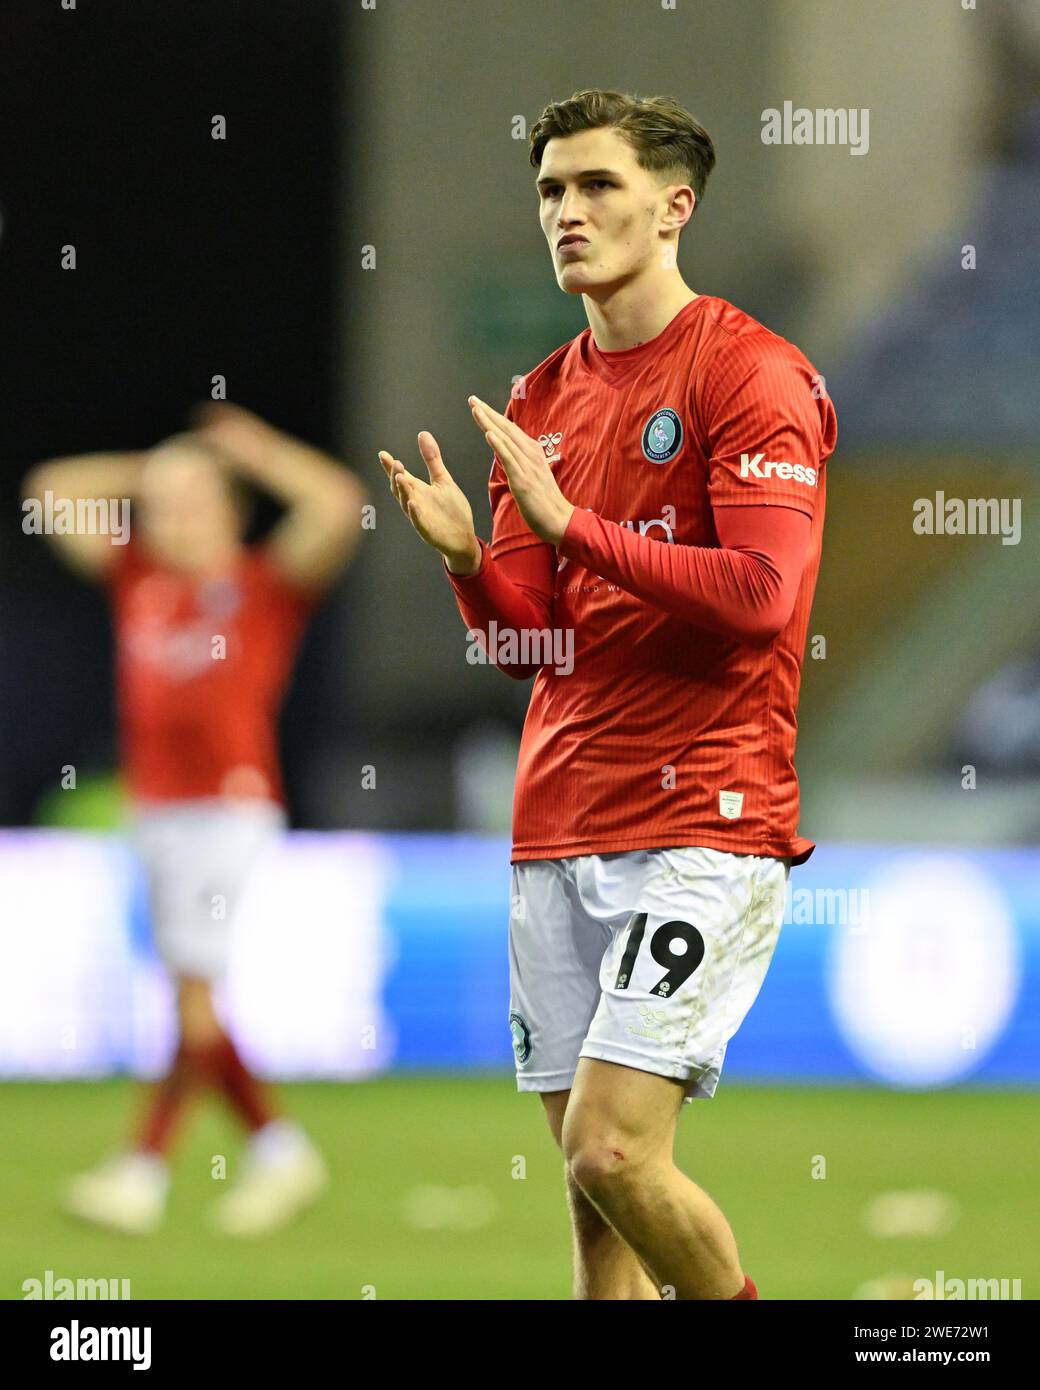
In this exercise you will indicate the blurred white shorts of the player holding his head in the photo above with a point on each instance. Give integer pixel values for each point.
(197, 858)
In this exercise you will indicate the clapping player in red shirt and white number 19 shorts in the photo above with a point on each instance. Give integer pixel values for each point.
(658, 490)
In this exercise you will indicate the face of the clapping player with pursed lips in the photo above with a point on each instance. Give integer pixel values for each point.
(592, 187)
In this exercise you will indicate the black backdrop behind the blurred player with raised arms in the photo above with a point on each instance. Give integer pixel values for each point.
(195, 258)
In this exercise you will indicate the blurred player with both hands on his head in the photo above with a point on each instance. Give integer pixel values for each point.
(206, 630)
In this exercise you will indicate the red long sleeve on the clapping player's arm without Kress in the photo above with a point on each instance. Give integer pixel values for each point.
(514, 591)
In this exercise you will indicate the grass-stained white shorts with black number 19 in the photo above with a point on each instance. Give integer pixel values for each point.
(650, 958)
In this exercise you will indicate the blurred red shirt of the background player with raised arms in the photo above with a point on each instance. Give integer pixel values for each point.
(202, 667)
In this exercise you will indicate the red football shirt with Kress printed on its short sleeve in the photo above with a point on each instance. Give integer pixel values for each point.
(665, 732)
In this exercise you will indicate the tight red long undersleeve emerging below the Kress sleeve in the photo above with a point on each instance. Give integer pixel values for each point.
(745, 589)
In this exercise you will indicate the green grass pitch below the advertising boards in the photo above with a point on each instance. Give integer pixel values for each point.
(429, 1203)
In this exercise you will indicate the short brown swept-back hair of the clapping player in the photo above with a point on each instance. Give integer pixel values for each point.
(664, 136)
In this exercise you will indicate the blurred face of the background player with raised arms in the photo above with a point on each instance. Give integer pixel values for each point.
(186, 512)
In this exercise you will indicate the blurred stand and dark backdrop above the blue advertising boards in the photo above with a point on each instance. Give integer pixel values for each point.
(247, 259)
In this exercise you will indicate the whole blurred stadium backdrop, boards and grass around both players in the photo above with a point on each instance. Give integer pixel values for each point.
(897, 1033)
